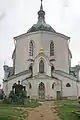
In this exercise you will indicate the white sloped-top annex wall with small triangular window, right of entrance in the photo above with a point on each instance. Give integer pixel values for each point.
(68, 91)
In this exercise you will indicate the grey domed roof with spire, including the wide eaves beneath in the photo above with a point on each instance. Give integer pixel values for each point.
(41, 26)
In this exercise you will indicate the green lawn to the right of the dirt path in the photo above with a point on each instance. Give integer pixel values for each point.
(66, 109)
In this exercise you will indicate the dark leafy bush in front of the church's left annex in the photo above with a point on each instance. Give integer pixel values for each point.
(17, 95)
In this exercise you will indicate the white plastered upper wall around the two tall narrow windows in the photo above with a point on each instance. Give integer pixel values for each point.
(42, 40)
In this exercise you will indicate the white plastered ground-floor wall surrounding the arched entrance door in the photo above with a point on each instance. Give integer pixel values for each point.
(49, 92)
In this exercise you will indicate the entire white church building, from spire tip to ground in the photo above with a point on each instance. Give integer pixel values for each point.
(42, 63)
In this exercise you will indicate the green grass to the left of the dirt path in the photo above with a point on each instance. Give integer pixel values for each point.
(16, 112)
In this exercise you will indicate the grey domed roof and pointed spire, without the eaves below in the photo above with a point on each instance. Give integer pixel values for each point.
(41, 24)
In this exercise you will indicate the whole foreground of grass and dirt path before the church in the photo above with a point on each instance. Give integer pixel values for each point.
(49, 110)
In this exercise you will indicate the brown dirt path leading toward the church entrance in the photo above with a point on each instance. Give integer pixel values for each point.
(47, 111)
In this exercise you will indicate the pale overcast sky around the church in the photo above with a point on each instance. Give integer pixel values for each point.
(17, 16)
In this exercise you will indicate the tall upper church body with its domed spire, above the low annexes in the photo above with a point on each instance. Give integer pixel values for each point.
(41, 43)
